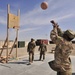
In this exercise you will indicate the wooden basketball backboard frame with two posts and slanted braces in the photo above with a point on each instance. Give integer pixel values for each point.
(12, 22)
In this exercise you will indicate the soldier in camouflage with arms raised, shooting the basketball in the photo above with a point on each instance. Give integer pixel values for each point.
(62, 61)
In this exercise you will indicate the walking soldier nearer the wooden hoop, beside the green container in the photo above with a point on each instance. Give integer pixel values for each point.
(30, 49)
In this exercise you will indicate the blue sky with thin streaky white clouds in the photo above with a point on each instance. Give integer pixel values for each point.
(34, 21)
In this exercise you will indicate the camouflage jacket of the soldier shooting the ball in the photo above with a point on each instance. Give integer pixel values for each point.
(63, 49)
